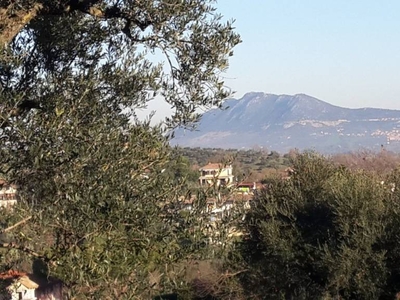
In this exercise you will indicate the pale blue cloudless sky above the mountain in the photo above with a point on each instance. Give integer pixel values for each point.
(344, 52)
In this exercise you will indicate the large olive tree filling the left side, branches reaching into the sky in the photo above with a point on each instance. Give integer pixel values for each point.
(93, 209)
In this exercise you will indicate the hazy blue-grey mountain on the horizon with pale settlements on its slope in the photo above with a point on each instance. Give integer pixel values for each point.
(284, 122)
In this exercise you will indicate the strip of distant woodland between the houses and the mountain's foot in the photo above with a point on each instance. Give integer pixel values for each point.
(261, 164)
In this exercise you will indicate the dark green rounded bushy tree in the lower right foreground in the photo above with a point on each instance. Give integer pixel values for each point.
(326, 233)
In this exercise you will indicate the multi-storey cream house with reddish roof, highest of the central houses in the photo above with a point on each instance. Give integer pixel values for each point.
(218, 174)
